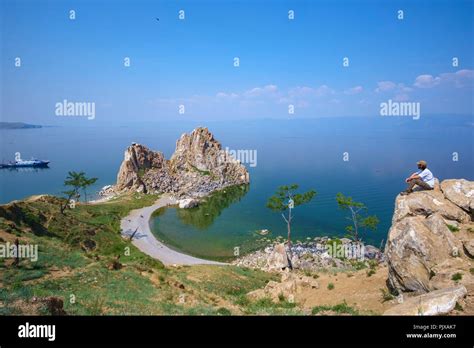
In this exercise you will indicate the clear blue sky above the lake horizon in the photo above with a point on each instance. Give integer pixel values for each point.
(190, 62)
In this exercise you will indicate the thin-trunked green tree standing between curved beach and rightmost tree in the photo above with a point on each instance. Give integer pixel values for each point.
(285, 200)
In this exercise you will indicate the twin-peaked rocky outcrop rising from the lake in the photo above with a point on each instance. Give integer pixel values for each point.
(198, 166)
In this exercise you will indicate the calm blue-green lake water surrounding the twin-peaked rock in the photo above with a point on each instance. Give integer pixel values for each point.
(382, 152)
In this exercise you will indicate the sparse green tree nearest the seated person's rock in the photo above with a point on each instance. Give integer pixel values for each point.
(358, 216)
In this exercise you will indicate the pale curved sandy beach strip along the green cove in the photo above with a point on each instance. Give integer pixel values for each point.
(147, 242)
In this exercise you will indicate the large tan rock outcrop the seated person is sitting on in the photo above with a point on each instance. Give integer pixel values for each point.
(429, 243)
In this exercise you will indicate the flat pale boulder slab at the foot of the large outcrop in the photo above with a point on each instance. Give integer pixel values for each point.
(434, 303)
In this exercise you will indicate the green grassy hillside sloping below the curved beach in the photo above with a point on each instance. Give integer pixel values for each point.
(77, 252)
